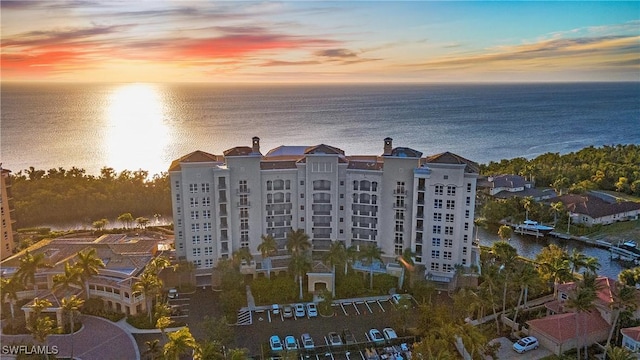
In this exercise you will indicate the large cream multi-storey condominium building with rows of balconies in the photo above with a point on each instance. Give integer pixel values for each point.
(398, 200)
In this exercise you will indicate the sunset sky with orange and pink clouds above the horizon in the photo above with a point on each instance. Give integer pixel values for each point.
(308, 41)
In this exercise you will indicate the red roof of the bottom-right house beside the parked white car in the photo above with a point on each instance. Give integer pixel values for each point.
(562, 327)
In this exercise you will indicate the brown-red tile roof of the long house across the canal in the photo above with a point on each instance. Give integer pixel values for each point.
(594, 206)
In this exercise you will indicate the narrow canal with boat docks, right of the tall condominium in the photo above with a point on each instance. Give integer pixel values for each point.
(529, 247)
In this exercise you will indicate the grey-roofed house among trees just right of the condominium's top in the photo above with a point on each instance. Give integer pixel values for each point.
(508, 185)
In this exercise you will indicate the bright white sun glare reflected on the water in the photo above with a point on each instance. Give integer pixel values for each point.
(136, 126)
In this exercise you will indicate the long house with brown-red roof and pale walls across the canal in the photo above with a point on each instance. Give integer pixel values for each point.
(591, 209)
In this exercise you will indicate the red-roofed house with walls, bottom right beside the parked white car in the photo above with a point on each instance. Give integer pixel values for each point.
(557, 331)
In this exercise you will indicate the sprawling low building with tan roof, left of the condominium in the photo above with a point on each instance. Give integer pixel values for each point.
(124, 257)
